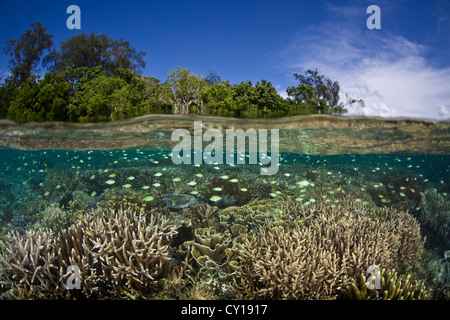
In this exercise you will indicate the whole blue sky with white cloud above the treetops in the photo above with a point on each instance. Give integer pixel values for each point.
(399, 70)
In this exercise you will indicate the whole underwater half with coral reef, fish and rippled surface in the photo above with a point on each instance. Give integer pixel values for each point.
(353, 208)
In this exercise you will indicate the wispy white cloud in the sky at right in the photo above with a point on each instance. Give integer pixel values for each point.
(389, 72)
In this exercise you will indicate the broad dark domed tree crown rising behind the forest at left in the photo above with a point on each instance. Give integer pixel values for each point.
(95, 50)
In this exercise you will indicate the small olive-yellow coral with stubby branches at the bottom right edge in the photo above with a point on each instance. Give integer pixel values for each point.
(391, 287)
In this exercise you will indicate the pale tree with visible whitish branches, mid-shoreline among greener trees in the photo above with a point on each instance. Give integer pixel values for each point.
(184, 89)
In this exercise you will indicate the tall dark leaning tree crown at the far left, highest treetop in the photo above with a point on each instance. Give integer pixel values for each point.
(26, 52)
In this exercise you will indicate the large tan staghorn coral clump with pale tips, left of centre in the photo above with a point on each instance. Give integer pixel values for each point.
(129, 252)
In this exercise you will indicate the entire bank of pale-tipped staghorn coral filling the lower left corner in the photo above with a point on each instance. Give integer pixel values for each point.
(119, 253)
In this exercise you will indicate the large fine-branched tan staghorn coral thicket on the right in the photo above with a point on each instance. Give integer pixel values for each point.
(315, 257)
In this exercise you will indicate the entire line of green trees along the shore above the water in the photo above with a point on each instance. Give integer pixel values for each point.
(93, 78)
